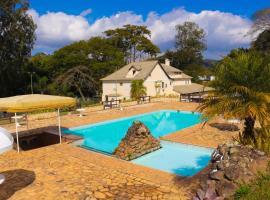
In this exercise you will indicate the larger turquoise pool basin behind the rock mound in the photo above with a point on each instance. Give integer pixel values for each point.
(107, 135)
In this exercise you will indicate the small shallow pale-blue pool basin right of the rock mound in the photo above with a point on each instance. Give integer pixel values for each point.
(176, 158)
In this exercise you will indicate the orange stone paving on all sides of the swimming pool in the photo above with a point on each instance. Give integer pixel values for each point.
(69, 172)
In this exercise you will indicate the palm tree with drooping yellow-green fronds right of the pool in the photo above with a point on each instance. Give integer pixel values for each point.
(242, 87)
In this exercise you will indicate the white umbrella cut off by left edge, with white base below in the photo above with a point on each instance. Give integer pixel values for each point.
(6, 143)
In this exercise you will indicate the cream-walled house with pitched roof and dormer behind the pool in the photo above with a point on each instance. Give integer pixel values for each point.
(159, 79)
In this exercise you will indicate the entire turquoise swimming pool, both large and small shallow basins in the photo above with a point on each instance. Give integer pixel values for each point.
(176, 158)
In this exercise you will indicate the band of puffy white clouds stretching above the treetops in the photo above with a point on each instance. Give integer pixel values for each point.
(225, 31)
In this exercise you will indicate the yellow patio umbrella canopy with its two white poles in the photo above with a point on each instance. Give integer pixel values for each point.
(34, 102)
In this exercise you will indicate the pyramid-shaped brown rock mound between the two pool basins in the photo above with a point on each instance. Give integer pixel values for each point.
(137, 142)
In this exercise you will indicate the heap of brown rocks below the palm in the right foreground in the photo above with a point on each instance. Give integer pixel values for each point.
(231, 165)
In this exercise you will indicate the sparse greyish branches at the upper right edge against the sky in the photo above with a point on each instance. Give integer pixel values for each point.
(261, 21)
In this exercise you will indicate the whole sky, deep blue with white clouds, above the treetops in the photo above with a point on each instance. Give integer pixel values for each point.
(223, 20)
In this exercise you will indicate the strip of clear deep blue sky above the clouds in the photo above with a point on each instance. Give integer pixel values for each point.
(106, 8)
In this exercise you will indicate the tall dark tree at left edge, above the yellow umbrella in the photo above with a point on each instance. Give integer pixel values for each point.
(16, 41)
